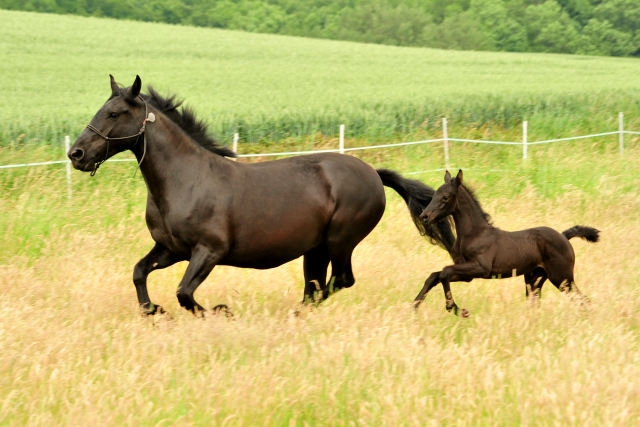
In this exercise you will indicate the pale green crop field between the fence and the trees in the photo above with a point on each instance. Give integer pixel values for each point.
(55, 75)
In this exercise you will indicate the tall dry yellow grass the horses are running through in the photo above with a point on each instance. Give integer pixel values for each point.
(74, 351)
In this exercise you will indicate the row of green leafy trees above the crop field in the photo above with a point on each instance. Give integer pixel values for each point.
(593, 27)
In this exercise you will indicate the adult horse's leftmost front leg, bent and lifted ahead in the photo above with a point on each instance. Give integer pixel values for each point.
(159, 257)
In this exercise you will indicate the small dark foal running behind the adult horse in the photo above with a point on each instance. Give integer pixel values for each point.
(483, 251)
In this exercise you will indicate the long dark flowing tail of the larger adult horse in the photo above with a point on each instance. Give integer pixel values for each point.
(417, 196)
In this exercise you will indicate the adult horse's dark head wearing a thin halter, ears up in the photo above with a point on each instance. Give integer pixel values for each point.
(116, 127)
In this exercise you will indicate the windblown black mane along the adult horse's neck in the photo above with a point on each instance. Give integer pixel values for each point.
(185, 119)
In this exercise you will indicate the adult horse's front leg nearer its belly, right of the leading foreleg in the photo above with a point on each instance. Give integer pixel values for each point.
(200, 265)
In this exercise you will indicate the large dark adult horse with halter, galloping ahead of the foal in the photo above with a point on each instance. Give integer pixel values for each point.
(209, 210)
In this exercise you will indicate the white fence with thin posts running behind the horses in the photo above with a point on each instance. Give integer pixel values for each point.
(341, 148)
